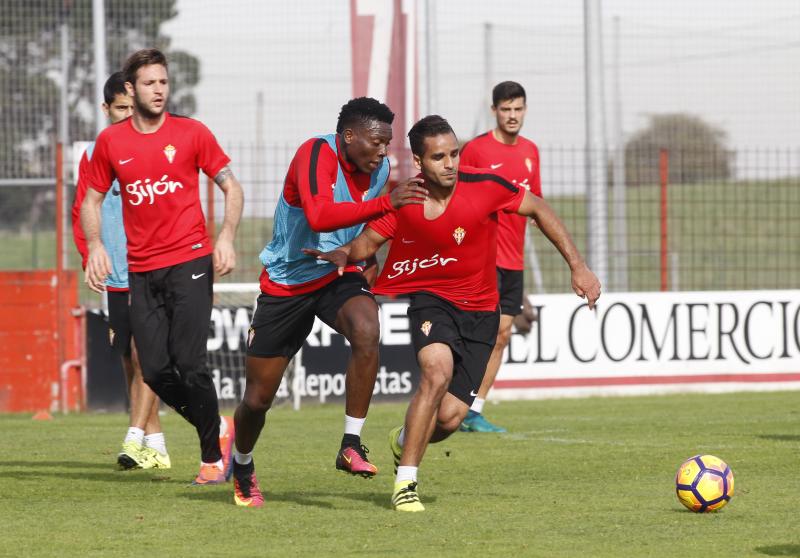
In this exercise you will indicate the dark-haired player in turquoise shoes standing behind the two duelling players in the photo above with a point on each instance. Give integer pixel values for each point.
(516, 158)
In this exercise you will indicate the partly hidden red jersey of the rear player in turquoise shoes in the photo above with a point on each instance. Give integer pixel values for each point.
(519, 163)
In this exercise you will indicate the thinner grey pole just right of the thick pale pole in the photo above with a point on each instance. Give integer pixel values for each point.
(620, 224)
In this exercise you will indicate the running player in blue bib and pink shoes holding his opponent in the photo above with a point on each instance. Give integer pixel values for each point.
(332, 187)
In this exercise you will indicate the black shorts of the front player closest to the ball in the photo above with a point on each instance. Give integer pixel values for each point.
(470, 335)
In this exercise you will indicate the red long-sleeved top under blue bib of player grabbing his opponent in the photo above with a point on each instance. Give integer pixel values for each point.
(309, 184)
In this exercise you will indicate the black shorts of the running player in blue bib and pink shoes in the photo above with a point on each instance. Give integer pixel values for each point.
(281, 324)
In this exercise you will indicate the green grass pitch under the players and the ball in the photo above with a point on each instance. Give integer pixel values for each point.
(591, 477)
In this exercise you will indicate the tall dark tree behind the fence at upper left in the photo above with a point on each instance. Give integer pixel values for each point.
(30, 79)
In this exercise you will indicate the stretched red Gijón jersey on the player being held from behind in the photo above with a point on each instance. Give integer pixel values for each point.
(452, 256)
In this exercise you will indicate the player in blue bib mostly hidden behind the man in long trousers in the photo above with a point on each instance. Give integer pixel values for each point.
(144, 445)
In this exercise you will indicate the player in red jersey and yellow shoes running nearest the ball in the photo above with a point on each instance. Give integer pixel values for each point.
(442, 254)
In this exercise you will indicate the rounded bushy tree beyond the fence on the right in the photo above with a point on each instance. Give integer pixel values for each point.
(697, 151)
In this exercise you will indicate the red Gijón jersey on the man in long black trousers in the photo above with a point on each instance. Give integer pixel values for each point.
(159, 182)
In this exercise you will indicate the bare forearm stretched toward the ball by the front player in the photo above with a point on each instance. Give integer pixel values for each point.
(584, 281)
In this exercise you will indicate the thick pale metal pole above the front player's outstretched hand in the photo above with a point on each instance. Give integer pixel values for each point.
(596, 201)
